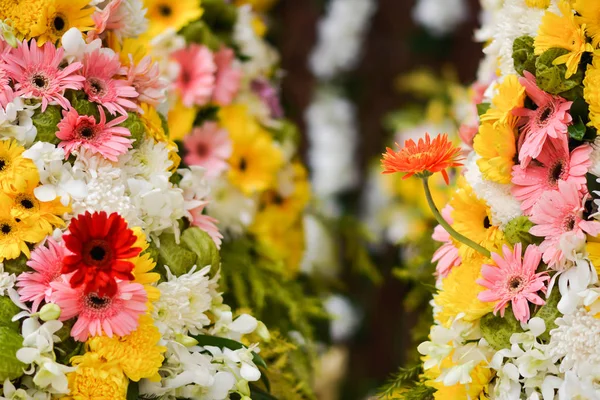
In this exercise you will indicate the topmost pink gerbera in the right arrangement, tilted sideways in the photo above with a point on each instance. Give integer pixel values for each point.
(550, 119)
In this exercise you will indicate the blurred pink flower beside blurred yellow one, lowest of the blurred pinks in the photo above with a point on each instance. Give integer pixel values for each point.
(210, 147)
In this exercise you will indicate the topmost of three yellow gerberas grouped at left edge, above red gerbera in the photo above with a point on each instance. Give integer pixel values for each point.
(15, 171)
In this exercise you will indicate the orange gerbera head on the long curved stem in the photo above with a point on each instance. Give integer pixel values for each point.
(423, 158)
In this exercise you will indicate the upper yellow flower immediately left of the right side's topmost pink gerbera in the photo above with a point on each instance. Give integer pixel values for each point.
(511, 95)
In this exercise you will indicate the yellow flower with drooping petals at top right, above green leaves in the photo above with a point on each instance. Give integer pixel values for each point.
(563, 32)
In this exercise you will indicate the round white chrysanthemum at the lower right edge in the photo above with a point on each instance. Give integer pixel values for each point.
(576, 343)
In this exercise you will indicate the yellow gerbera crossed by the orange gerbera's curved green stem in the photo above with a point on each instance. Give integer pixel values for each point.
(472, 218)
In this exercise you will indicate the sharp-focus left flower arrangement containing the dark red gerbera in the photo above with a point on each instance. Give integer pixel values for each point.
(110, 269)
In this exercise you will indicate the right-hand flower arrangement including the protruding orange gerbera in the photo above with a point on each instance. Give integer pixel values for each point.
(516, 306)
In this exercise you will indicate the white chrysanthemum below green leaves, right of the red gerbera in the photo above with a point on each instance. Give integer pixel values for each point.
(183, 302)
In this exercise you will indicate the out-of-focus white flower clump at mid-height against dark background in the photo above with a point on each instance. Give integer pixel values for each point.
(331, 125)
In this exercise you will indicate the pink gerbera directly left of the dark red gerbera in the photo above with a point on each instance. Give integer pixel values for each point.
(46, 263)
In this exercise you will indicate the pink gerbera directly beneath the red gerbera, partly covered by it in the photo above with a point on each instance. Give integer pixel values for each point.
(117, 314)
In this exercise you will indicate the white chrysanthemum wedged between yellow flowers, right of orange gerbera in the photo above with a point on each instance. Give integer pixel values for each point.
(504, 207)
